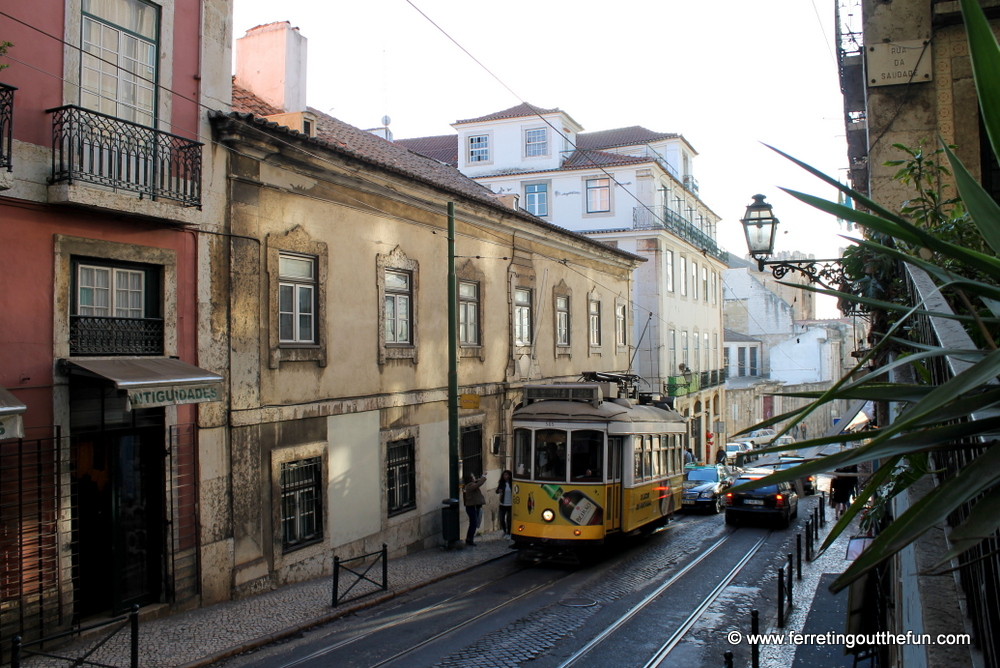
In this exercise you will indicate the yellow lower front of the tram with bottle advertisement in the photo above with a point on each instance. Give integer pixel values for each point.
(558, 510)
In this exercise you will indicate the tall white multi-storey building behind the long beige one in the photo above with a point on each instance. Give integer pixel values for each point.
(634, 189)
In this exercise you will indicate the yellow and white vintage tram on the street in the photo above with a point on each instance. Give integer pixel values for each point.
(588, 465)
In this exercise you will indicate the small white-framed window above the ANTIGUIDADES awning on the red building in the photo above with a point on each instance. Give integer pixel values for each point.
(110, 292)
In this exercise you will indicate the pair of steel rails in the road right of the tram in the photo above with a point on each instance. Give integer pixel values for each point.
(661, 654)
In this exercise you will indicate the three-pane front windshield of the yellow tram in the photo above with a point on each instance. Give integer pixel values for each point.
(558, 455)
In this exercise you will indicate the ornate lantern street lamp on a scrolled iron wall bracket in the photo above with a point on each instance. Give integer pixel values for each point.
(761, 227)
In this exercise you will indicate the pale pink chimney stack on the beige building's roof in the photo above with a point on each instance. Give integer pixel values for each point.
(271, 64)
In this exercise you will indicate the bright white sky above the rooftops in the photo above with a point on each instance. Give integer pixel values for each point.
(728, 75)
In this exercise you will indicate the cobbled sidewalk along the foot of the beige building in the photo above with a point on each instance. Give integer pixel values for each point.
(206, 635)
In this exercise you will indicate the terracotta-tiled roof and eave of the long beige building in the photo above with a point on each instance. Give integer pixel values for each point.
(340, 137)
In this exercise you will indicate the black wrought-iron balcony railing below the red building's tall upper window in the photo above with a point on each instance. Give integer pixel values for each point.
(106, 151)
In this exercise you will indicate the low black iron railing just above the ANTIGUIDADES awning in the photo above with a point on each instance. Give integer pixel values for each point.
(92, 335)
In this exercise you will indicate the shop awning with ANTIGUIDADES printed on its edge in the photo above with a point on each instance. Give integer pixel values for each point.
(156, 381)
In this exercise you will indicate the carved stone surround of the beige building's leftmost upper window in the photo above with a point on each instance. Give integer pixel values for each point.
(296, 243)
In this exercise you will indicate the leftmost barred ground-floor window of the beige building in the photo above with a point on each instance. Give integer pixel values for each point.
(301, 503)
